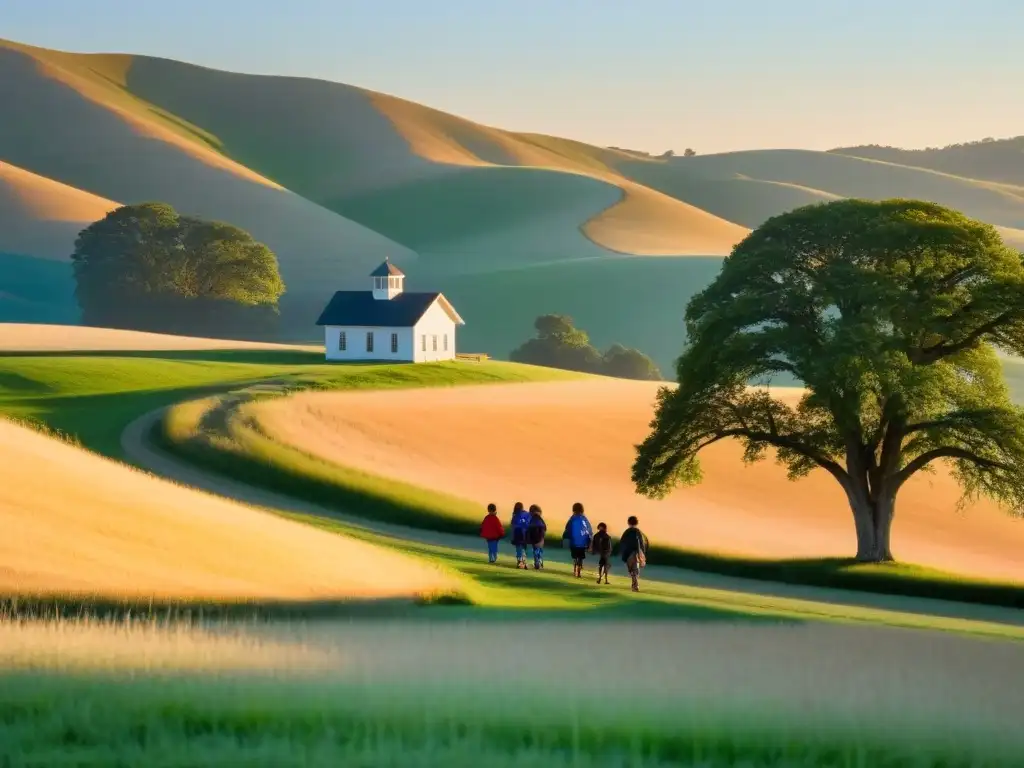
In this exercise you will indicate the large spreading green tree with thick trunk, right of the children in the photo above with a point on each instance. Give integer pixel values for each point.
(890, 314)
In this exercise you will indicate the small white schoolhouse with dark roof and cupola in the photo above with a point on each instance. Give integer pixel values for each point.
(389, 323)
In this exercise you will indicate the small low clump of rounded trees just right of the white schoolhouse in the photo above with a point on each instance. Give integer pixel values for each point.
(560, 345)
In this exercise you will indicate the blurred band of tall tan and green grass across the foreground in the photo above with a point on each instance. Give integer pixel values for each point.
(394, 694)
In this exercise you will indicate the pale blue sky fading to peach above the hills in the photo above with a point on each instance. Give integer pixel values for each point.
(715, 75)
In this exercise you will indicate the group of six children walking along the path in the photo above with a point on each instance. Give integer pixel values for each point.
(529, 530)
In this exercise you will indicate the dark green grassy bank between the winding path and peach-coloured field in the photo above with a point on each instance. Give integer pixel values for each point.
(237, 447)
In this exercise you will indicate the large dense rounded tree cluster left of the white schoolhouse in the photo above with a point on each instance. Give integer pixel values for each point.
(148, 268)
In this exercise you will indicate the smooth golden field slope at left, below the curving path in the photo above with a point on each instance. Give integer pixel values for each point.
(79, 525)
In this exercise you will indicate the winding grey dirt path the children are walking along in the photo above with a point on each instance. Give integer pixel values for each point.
(141, 451)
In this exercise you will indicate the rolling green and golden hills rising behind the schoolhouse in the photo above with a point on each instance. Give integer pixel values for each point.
(334, 179)
